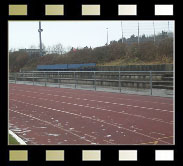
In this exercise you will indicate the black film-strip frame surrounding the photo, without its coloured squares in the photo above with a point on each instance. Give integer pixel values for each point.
(73, 153)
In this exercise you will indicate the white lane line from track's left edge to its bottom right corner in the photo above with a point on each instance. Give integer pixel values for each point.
(98, 120)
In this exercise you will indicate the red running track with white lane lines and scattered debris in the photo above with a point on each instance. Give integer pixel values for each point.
(46, 115)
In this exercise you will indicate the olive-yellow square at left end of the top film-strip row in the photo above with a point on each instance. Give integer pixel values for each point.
(15, 10)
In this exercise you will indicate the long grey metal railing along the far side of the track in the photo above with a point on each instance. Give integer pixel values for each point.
(116, 79)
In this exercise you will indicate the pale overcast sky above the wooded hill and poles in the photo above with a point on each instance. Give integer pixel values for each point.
(24, 34)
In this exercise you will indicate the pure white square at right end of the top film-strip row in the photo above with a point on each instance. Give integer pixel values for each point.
(163, 10)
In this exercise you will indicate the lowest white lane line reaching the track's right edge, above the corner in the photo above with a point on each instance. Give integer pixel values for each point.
(103, 109)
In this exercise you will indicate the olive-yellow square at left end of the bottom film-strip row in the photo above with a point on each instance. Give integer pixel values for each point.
(18, 155)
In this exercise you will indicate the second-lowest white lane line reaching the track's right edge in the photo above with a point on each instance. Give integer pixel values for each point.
(161, 110)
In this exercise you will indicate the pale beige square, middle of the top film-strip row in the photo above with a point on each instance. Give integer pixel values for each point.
(90, 10)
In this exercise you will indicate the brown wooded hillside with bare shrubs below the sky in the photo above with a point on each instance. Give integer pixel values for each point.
(116, 53)
